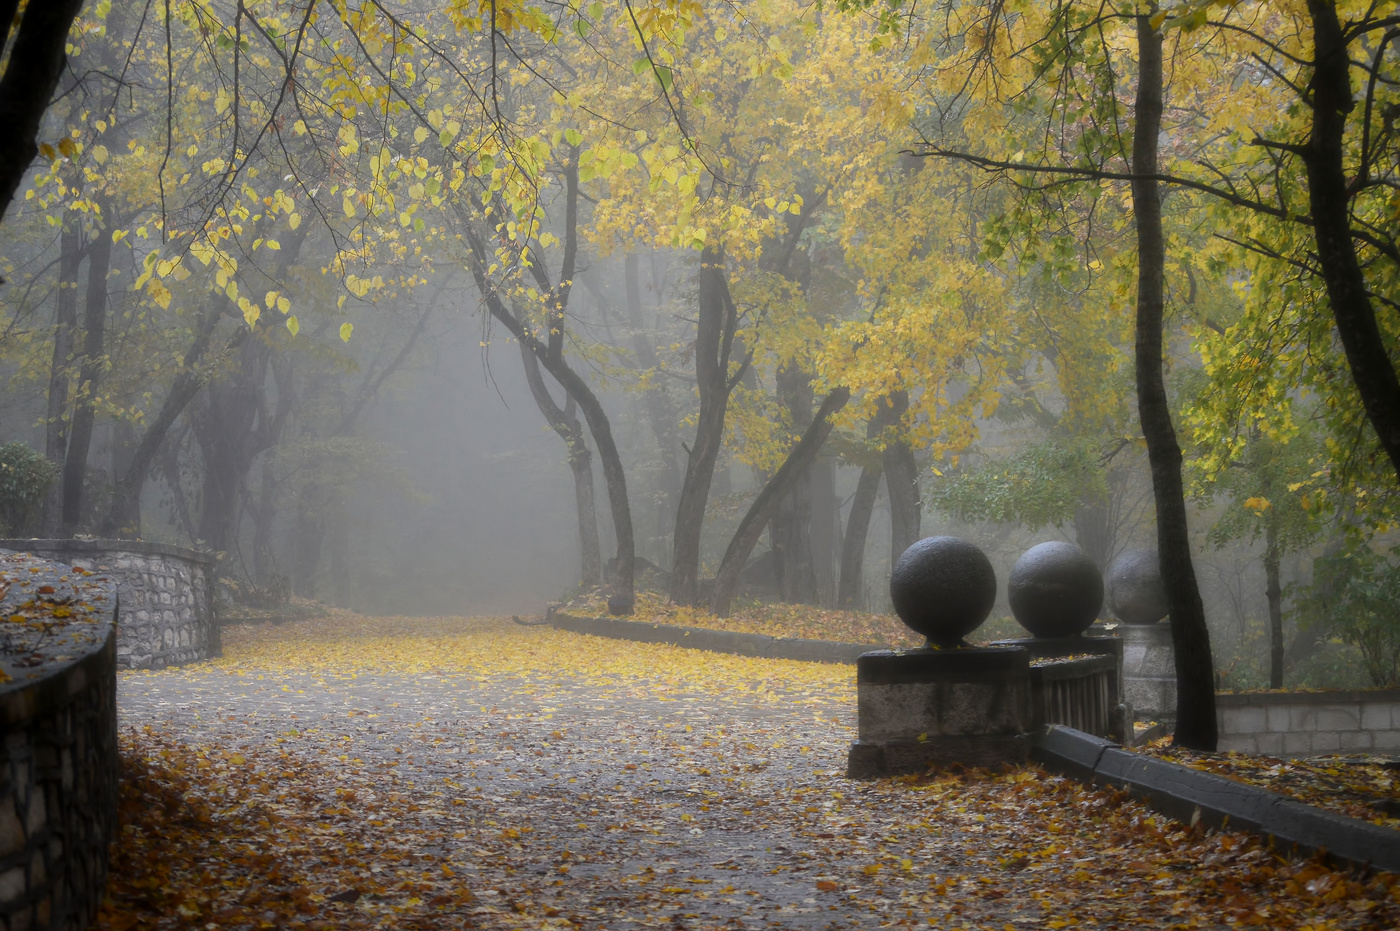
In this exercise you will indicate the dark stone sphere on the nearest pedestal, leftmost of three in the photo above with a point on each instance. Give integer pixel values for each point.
(944, 589)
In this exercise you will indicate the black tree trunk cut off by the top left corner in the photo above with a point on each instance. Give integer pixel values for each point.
(37, 61)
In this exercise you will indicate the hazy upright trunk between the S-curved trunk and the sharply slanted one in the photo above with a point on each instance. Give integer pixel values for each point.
(715, 339)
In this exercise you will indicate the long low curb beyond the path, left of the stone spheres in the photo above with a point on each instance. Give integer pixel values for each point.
(715, 640)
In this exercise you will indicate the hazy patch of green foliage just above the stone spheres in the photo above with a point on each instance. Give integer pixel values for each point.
(1038, 486)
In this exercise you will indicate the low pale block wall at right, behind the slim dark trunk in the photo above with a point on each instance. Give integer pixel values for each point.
(1310, 723)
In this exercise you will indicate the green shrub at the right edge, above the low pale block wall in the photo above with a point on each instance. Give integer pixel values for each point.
(1356, 596)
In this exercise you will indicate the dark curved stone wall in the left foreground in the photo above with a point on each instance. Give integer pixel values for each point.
(58, 772)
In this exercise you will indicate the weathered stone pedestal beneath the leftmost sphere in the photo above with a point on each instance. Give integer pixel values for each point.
(920, 708)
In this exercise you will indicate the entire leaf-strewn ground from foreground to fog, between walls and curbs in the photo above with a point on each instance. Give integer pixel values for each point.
(356, 773)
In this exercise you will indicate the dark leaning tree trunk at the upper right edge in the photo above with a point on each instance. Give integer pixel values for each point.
(1331, 204)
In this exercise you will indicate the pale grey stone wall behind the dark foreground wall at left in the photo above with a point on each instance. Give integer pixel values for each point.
(167, 594)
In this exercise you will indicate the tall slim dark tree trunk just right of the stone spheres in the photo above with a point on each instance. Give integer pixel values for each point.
(1196, 726)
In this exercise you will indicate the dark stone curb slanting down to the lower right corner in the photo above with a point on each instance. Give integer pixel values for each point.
(1193, 796)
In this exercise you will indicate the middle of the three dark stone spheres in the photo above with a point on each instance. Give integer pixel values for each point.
(1055, 590)
